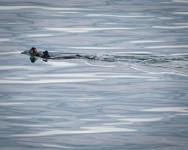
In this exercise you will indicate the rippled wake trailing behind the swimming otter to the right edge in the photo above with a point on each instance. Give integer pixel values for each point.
(176, 64)
